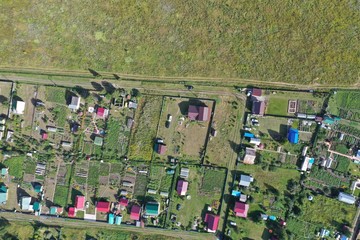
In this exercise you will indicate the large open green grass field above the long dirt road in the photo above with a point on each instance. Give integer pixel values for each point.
(293, 41)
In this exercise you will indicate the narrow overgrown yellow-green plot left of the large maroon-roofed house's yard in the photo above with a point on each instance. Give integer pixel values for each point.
(144, 129)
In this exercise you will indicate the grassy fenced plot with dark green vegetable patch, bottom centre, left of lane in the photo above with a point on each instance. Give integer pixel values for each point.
(204, 190)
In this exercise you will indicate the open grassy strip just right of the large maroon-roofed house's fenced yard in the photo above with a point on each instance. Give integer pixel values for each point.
(228, 114)
